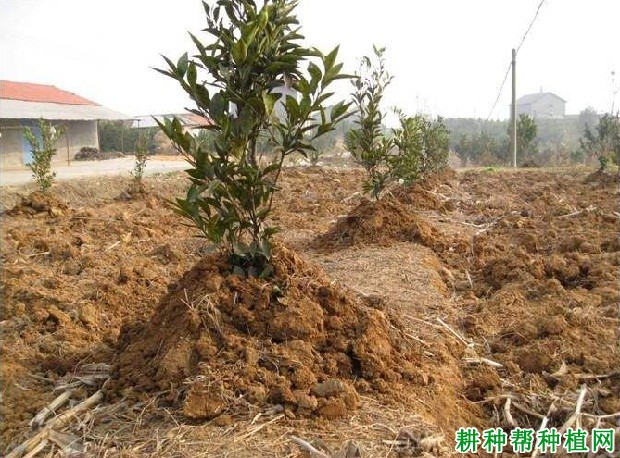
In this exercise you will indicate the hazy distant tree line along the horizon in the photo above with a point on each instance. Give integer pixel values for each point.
(586, 138)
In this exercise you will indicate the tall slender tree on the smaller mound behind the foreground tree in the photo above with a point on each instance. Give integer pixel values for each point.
(367, 143)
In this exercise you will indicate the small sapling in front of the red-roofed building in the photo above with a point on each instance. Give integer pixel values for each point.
(43, 151)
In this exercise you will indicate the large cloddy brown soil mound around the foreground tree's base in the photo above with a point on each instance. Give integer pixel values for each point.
(219, 341)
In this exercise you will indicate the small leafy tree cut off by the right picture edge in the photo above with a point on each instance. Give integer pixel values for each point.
(603, 141)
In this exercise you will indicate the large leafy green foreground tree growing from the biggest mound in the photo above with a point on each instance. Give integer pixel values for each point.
(254, 48)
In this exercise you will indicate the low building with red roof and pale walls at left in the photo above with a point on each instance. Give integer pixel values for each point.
(23, 104)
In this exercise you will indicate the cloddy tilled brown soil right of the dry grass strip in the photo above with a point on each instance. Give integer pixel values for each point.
(544, 272)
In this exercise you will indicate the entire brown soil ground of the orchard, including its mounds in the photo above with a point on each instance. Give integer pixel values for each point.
(524, 265)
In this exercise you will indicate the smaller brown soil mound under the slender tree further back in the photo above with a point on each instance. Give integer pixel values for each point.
(383, 222)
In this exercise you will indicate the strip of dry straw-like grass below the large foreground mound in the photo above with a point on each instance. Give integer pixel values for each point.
(159, 432)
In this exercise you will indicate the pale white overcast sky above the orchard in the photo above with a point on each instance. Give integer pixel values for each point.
(448, 57)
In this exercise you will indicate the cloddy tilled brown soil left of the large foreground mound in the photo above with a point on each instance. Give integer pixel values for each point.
(71, 274)
